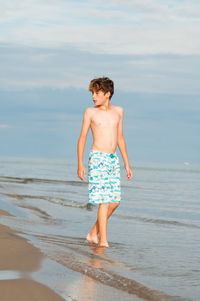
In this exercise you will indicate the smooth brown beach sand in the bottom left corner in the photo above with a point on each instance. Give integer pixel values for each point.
(17, 255)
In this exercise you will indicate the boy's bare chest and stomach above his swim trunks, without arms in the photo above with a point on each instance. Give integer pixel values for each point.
(104, 127)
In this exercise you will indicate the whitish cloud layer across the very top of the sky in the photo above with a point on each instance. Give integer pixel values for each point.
(114, 27)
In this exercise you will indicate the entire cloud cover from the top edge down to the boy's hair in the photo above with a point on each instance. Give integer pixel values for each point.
(145, 46)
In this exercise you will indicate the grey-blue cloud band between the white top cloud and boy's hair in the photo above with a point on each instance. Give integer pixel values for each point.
(30, 67)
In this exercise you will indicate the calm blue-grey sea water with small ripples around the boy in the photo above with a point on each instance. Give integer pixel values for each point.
(154, 235)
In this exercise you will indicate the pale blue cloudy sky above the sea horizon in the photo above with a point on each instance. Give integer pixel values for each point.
(50, 50)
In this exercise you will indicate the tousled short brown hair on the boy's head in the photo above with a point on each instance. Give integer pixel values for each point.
(104, 84)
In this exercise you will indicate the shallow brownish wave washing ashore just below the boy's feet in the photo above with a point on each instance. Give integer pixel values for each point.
(91, 264)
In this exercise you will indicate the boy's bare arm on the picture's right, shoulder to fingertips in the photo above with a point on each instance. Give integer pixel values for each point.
(122, 145)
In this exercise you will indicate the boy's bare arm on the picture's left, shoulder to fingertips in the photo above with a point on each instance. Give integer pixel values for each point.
(81, 142)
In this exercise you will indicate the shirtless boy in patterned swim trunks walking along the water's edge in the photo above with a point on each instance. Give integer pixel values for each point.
(106, 123)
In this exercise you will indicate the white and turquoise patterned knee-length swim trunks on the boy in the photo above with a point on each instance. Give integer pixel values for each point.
(103, 177)
